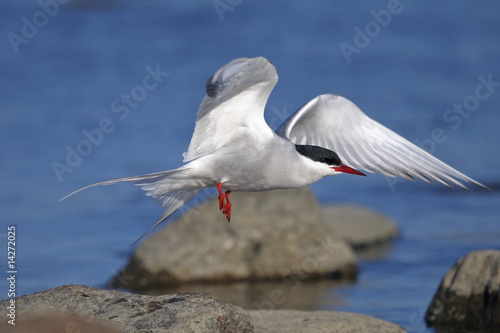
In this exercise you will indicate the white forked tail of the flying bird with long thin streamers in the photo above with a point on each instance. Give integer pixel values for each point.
(172, 188)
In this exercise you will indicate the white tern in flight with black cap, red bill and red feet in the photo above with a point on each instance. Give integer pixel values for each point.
(233, 148)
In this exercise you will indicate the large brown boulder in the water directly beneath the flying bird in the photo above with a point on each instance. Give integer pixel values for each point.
(275, 235)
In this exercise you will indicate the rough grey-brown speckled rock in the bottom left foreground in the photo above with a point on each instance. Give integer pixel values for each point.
(132, 313)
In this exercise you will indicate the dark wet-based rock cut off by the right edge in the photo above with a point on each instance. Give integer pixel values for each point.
(469, 294)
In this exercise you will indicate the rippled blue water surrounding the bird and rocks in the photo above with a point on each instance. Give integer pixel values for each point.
(69, 76)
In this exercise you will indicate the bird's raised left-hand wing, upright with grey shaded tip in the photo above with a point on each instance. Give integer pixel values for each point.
(234, 105)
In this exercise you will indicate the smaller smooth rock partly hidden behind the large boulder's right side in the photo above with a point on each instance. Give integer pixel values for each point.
(358, 226)
